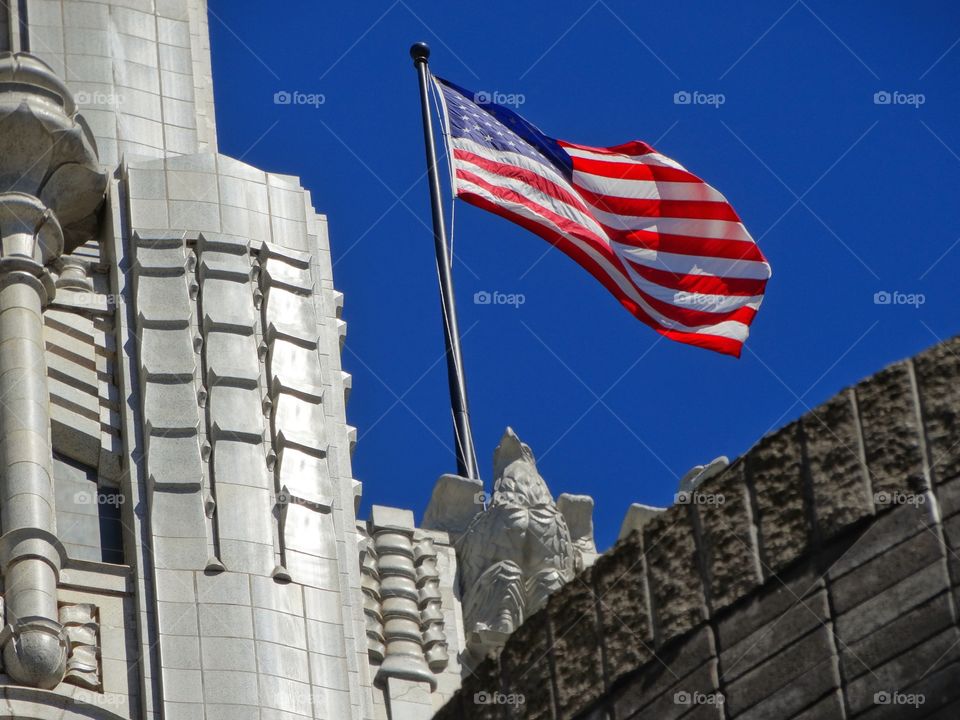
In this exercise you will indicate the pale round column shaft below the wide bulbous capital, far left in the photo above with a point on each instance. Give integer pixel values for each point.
(34, 650)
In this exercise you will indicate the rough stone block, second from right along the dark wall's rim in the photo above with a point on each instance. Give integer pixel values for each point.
(891, 433)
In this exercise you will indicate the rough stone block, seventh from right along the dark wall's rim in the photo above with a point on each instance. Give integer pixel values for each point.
(624, 607)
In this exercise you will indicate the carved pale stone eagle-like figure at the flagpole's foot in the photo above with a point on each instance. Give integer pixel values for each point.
(513, 554)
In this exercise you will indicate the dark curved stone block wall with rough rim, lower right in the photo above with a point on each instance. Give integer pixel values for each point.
(823, 586)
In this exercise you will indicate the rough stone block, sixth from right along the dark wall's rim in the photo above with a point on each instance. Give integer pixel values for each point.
(673, 572)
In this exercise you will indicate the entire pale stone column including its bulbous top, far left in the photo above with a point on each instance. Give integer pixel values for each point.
(51, 187)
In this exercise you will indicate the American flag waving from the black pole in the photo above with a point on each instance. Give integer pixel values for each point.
(668, 246)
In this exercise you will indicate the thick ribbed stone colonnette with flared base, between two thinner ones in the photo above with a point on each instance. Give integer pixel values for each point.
(400, 597)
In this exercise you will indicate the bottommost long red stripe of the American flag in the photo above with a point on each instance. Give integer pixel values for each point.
(727, 346)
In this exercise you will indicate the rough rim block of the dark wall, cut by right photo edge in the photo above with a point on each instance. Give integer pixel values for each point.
(938, 382)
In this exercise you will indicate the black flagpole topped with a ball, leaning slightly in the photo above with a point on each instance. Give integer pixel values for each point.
(463, 437)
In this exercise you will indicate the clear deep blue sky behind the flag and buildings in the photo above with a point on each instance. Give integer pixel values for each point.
(846, 197)
